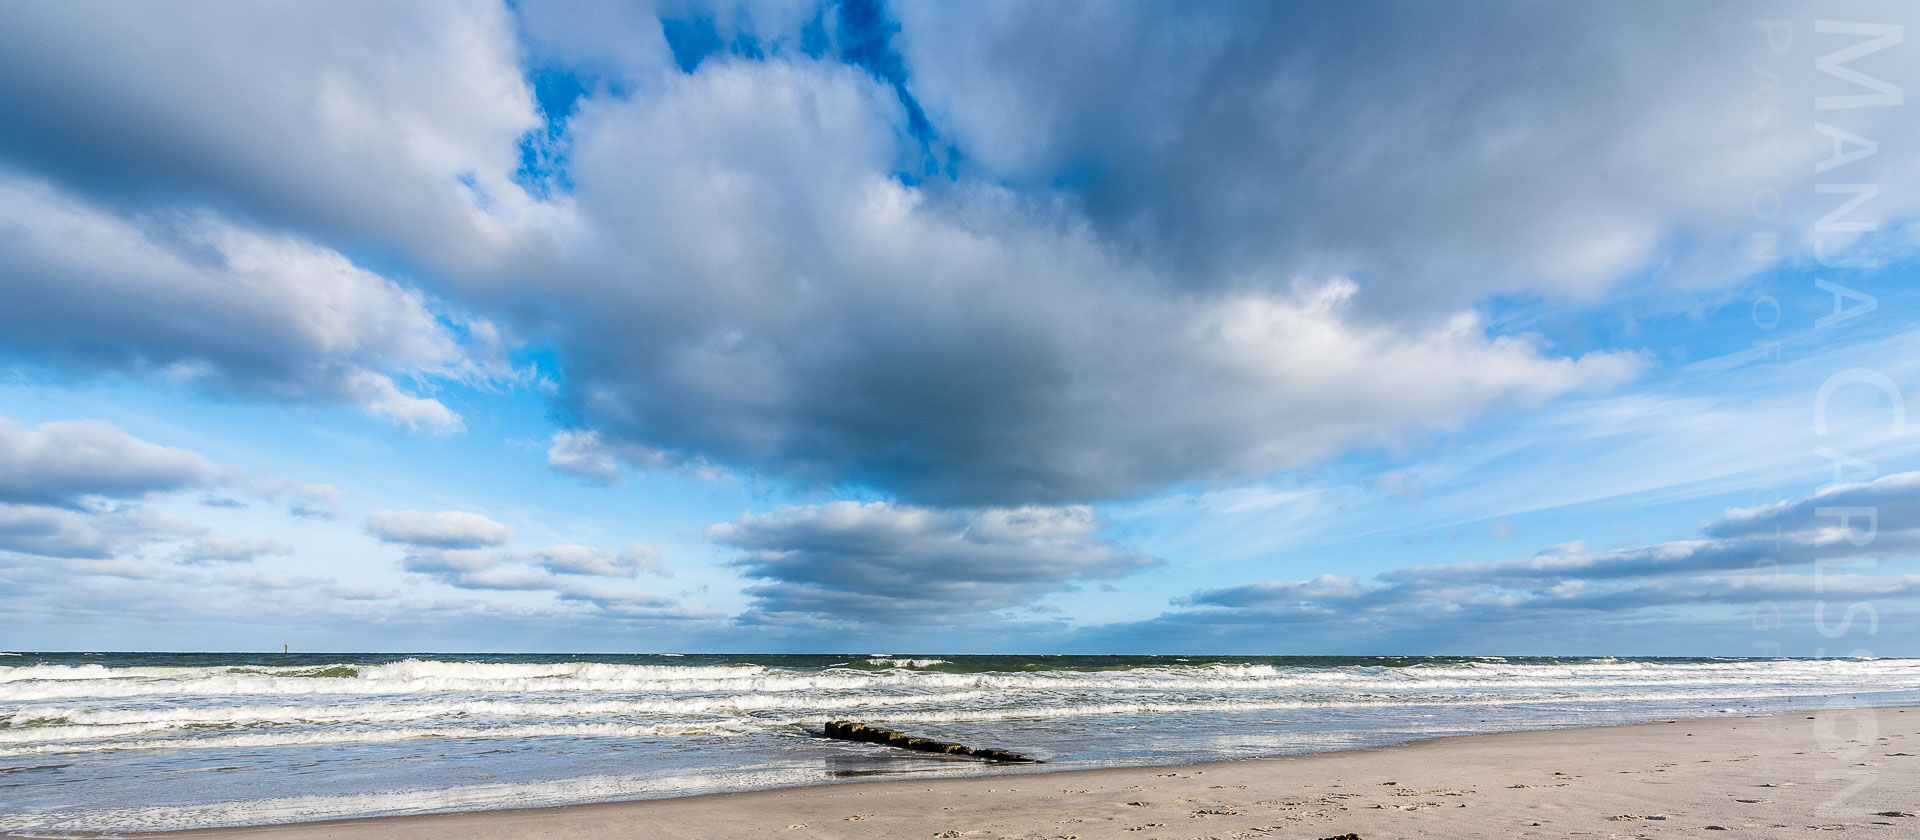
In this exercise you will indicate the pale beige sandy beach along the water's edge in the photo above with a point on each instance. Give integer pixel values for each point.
(1777, 778)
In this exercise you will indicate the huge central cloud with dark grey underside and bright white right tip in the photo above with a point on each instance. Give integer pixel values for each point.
(836, 348)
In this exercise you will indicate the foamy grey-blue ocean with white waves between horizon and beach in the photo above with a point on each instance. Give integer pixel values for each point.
(114, 743)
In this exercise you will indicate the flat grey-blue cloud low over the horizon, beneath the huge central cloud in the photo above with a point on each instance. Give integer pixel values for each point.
(905, 565)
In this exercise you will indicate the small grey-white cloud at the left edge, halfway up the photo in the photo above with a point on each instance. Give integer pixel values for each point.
(64, 463)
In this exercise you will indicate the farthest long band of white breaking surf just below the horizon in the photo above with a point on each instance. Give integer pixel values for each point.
(37, 684)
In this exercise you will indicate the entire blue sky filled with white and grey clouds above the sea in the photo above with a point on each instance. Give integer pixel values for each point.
(992, 327)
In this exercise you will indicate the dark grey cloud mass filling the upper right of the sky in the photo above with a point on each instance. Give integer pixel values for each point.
(1247, 139)
